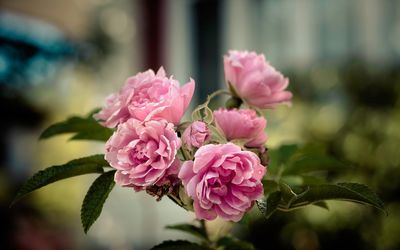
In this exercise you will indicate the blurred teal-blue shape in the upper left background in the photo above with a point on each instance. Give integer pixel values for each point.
(31, 50)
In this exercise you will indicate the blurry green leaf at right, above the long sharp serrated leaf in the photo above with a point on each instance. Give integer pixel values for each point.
(312, 162)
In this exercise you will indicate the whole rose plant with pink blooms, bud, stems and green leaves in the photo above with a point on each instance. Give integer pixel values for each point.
(215, 165)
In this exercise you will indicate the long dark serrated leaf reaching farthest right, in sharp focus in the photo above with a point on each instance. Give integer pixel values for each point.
(354, 192)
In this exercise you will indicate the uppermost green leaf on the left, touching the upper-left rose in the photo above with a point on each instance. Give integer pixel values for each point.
(84, 128)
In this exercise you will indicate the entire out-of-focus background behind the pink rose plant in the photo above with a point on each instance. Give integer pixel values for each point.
(62, 58)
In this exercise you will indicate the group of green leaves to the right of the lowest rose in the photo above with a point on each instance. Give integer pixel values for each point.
(291, 186)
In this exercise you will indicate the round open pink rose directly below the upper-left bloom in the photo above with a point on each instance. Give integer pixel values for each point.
(143, 153)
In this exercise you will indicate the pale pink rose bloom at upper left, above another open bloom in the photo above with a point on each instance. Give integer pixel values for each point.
(147, 96)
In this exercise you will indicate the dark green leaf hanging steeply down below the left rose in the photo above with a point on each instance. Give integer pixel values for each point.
(95, 198)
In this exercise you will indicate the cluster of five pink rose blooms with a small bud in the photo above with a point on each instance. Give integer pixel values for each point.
(222, 179)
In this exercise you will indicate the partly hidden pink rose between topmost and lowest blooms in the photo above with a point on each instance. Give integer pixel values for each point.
(242, 124)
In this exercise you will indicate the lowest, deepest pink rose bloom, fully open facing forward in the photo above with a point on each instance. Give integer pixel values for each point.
(222, 181)
